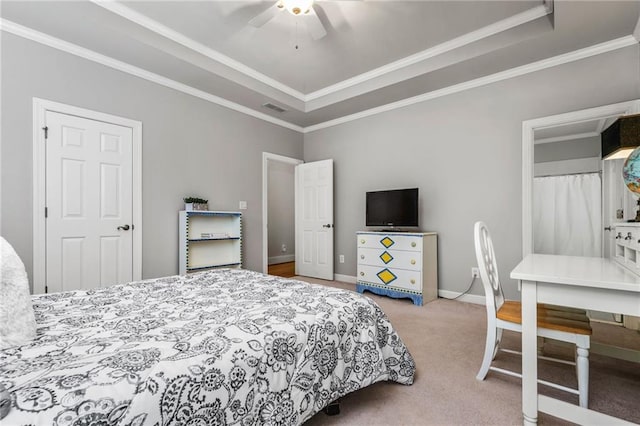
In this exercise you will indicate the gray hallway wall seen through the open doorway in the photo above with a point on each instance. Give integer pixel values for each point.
(281, 213)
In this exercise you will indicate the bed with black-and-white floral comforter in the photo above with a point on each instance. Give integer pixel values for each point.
(226, 346)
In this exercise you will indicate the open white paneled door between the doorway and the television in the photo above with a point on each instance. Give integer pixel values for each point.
(314, 219)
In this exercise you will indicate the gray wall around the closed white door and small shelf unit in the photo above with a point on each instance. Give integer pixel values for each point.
(189, 147)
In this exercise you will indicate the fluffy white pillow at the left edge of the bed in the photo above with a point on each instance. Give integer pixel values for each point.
(17, 321)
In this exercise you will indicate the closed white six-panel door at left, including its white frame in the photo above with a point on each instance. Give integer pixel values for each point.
(87, 220)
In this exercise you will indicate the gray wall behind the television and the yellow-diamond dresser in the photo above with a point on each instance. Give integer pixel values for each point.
(464, 153)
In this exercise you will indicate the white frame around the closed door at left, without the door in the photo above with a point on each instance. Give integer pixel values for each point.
(40, 108)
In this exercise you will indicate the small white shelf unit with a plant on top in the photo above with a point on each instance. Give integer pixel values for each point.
(209, 239)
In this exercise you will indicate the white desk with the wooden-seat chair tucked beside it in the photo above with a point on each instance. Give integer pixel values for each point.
(580, 282)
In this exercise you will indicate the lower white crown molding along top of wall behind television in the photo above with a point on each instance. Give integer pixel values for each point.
(565, 58)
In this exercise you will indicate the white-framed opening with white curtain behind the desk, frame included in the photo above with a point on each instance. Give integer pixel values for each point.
(571, 198)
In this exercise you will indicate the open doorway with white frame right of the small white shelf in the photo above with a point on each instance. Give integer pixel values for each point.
(278, 214)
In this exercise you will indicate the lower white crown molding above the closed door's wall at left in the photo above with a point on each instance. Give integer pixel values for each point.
(47, 40)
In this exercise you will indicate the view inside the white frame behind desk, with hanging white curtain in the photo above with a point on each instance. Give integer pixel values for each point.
(567, 189)
